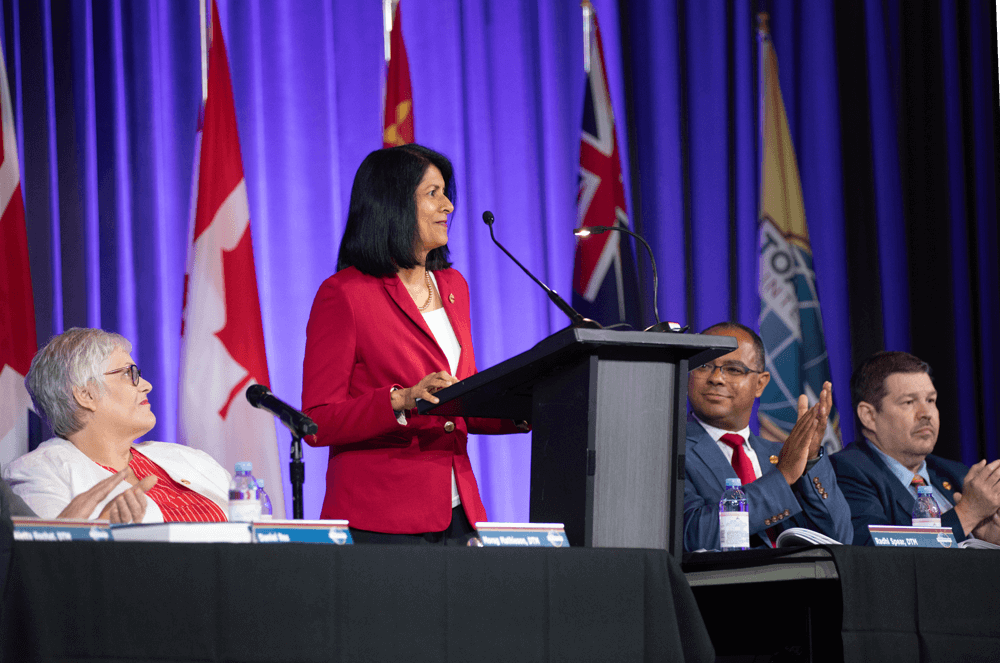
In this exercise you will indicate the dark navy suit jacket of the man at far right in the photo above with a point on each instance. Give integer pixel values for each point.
(877, 497)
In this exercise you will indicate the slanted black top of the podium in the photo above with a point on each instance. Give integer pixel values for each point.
(504, 391)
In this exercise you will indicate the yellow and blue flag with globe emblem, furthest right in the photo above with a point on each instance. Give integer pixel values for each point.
(791, 325)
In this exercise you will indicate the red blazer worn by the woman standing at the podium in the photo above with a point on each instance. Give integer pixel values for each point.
(365, 335)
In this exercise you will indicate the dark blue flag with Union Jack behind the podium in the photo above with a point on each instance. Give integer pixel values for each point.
(605, 286)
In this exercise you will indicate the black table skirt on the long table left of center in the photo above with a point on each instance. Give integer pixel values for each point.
(84, 601)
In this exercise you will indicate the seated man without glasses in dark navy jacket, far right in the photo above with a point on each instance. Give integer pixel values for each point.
(896, 403)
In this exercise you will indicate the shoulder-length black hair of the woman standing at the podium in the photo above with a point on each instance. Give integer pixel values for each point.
(382, 221)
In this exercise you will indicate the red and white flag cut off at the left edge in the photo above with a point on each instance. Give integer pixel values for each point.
(18, 341)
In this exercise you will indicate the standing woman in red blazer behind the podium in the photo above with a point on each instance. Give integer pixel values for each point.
(391, 326)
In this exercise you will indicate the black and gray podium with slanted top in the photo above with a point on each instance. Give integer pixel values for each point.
(608, 415)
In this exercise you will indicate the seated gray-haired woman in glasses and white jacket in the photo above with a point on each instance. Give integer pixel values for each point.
(86, 385)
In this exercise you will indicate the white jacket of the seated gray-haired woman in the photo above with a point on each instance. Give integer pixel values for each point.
(56, 472)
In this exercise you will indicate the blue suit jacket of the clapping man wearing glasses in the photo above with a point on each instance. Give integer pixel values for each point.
(772, 502)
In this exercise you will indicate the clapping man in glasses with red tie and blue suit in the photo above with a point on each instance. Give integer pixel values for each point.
(787, 485)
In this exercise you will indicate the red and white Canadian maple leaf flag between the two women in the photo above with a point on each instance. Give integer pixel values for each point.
(222, 344)
